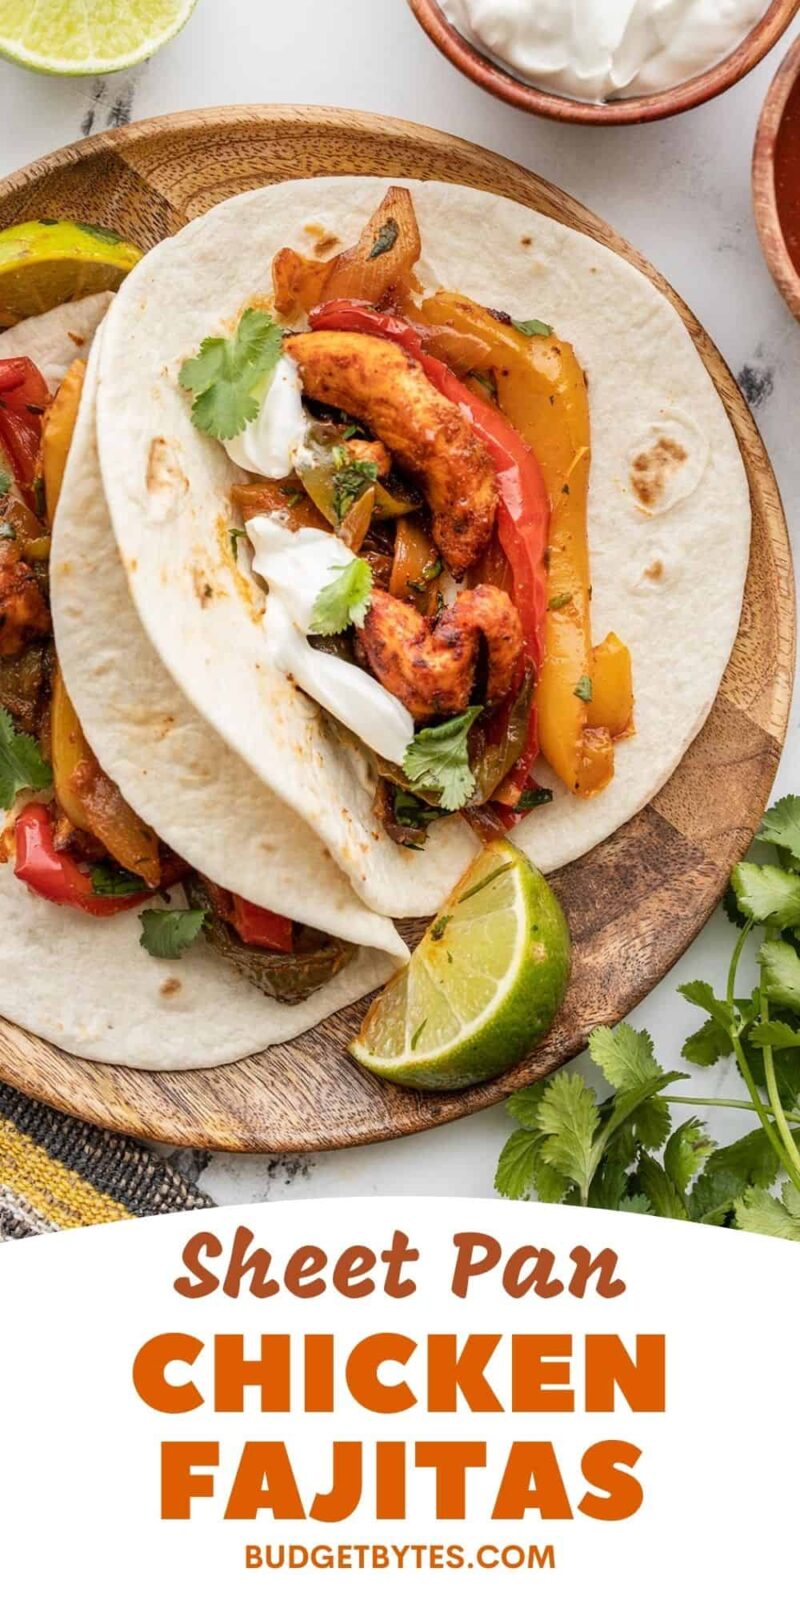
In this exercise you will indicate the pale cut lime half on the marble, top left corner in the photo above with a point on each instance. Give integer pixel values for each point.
(89, 36)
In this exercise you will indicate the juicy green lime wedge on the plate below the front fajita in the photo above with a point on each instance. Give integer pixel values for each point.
(482, 986)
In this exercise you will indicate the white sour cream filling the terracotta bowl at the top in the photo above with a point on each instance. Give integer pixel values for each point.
(598, 50)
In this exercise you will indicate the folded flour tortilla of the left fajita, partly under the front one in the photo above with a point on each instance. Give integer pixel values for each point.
(87, 985)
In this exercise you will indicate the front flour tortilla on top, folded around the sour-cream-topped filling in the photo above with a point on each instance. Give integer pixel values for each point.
(670, 548)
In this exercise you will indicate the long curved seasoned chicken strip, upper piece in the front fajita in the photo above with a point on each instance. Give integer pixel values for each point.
(385, 388)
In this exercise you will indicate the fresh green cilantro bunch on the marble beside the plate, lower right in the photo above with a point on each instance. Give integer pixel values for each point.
(623, 1153)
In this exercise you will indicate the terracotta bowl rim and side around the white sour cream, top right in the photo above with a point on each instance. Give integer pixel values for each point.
(642, 108)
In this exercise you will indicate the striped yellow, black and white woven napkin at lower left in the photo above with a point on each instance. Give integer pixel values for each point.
(57, 1172)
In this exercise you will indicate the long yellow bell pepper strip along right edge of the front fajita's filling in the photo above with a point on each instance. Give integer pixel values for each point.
(542, 390)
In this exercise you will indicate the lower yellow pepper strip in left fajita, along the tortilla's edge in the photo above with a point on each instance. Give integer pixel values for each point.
(92, 801)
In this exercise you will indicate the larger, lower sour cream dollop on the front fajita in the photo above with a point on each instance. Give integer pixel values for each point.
(297, 567)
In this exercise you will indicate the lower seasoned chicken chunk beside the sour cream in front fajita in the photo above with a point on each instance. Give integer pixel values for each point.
(431, 665)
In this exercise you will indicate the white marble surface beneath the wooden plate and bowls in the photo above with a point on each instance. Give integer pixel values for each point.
(678, 190)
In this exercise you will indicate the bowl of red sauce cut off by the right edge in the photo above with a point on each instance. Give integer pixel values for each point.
(777, 177)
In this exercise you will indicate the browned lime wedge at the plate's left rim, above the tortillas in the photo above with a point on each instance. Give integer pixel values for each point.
(44, 265)
